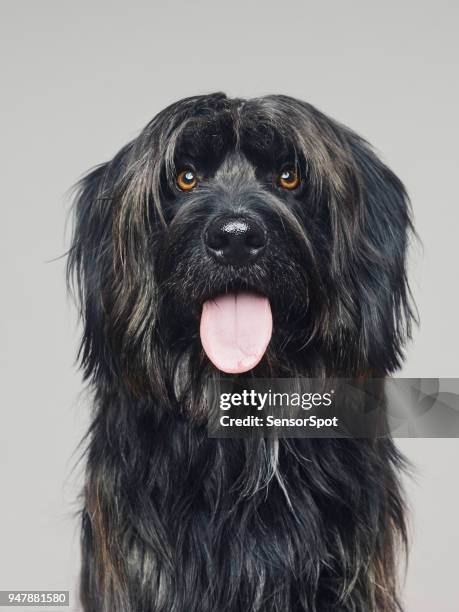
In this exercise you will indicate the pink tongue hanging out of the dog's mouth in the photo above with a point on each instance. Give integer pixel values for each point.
(235, 331)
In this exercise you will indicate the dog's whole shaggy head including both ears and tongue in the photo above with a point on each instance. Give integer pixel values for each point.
(241, 234)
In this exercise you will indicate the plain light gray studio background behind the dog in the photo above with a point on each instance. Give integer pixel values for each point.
(80, 79)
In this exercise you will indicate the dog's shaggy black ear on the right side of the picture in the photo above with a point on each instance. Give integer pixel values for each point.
(370, 220)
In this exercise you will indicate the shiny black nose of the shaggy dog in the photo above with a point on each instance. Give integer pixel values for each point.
(236, 241)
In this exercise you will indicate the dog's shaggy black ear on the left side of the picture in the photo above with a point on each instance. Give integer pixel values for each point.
(111, 262)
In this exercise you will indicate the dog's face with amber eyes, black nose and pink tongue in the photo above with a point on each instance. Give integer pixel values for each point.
(238, 253)
